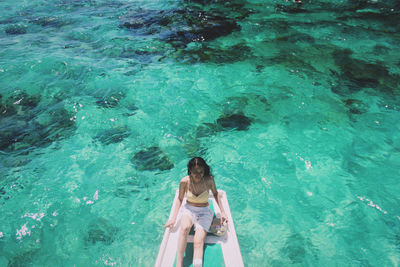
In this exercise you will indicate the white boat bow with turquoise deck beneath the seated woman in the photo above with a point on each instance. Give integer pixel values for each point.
(218, 250)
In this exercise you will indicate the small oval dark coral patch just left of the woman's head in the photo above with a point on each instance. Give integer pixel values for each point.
(152, 159)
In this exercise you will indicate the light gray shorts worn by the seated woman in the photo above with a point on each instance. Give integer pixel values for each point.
(201, 216)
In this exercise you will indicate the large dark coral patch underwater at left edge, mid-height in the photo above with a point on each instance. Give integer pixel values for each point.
(25, 126)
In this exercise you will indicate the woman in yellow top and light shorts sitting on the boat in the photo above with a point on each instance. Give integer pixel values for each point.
(195, 211)
